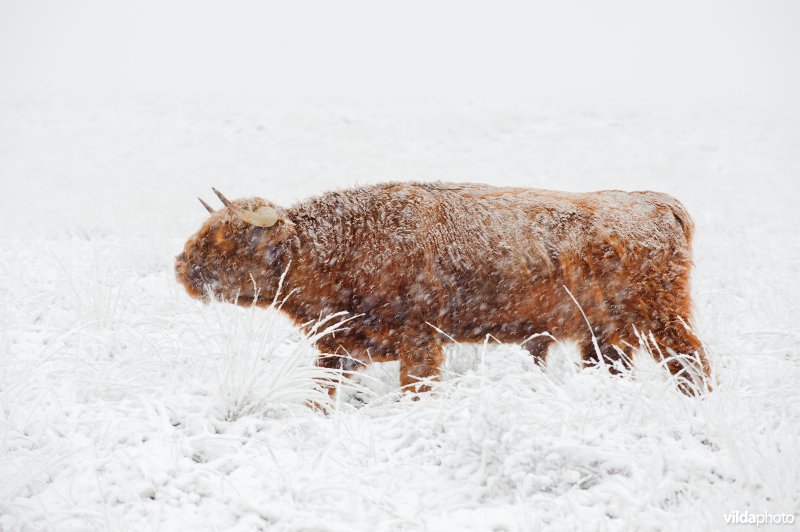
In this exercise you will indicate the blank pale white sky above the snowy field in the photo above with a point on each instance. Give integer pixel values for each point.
(678, 51)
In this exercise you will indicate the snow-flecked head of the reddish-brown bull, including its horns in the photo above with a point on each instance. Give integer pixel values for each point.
(238, 254)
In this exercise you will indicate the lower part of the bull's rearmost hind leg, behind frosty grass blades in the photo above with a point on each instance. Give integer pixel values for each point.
(685, 357)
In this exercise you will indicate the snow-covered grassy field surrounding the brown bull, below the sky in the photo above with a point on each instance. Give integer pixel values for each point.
(126, 405)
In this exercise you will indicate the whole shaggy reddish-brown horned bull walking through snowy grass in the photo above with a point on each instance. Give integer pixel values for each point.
(416, 260)
